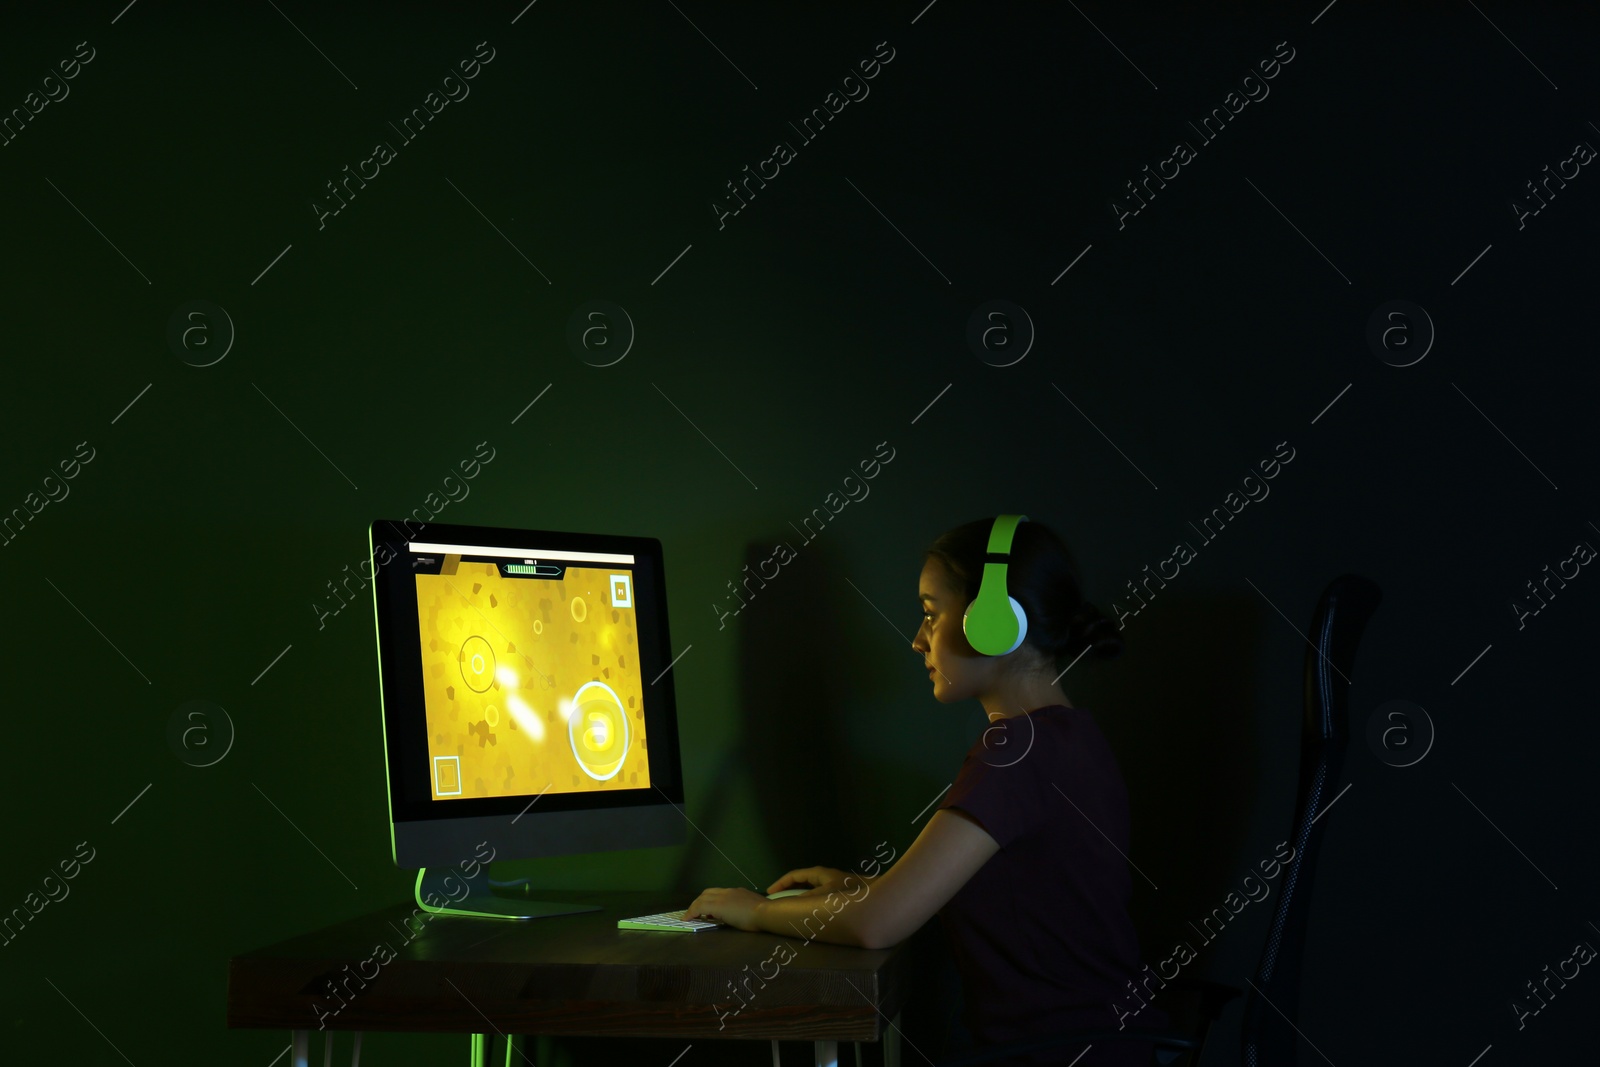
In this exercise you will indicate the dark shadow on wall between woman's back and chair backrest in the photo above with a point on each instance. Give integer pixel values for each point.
(1178, 709)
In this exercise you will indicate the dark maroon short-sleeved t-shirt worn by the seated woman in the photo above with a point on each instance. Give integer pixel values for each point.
(1041, 935)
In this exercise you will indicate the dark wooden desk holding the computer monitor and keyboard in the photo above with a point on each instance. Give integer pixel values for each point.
(570, 975)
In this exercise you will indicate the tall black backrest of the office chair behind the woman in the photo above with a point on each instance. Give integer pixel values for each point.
(1268, 1036)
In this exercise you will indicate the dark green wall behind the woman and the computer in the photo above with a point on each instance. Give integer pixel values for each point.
(774, 356)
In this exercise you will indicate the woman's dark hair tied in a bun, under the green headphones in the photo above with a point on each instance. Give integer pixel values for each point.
(1046, 580)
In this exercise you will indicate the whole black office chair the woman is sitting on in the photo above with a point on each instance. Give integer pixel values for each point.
(1193, 1005)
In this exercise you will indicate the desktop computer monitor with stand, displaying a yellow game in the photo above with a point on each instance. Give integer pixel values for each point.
(527, 703)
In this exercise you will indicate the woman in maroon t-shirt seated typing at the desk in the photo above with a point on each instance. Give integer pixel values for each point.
(1025, 861)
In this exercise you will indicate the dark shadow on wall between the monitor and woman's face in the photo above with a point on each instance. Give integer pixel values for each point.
(791, 761)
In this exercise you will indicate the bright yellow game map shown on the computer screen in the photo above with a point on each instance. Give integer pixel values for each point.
(530, 684)
